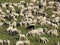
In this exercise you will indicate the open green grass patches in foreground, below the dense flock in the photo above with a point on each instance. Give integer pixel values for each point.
(4, 36)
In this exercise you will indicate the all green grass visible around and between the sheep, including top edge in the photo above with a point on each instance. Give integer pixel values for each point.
(4, 36)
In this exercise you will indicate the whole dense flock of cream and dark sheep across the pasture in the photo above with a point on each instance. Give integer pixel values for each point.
(28, 15)
